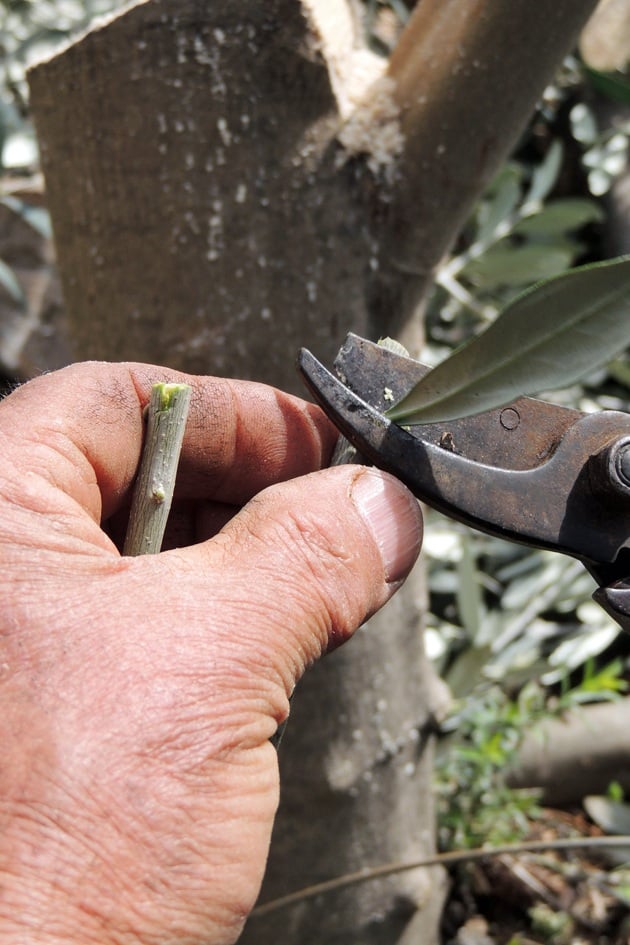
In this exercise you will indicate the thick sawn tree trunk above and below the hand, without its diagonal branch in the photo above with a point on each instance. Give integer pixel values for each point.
(203, 218)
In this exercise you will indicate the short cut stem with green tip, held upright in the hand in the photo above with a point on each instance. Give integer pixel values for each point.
(153, 494)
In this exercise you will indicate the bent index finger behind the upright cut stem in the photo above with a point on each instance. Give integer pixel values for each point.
(240, 436)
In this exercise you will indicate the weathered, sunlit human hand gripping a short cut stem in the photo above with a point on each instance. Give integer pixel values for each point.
(138, 695)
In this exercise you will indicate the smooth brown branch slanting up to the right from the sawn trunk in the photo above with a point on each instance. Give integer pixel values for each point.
(467, 79)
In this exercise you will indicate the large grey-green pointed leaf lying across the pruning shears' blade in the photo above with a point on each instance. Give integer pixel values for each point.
(549, 337)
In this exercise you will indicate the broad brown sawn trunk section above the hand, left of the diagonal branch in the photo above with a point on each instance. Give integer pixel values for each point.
(199, 215)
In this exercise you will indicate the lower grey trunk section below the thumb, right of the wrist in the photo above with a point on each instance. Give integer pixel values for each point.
(356, 775)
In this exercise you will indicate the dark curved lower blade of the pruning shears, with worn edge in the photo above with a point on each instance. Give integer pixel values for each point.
(562, 503)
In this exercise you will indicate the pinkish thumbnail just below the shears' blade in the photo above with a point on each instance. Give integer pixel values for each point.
(394, 518)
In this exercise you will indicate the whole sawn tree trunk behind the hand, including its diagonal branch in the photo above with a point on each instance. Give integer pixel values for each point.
(227, 182)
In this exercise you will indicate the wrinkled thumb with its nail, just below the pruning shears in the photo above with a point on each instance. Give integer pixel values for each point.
(307, 561)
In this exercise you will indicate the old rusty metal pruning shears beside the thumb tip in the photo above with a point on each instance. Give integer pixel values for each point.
(530, 472)
